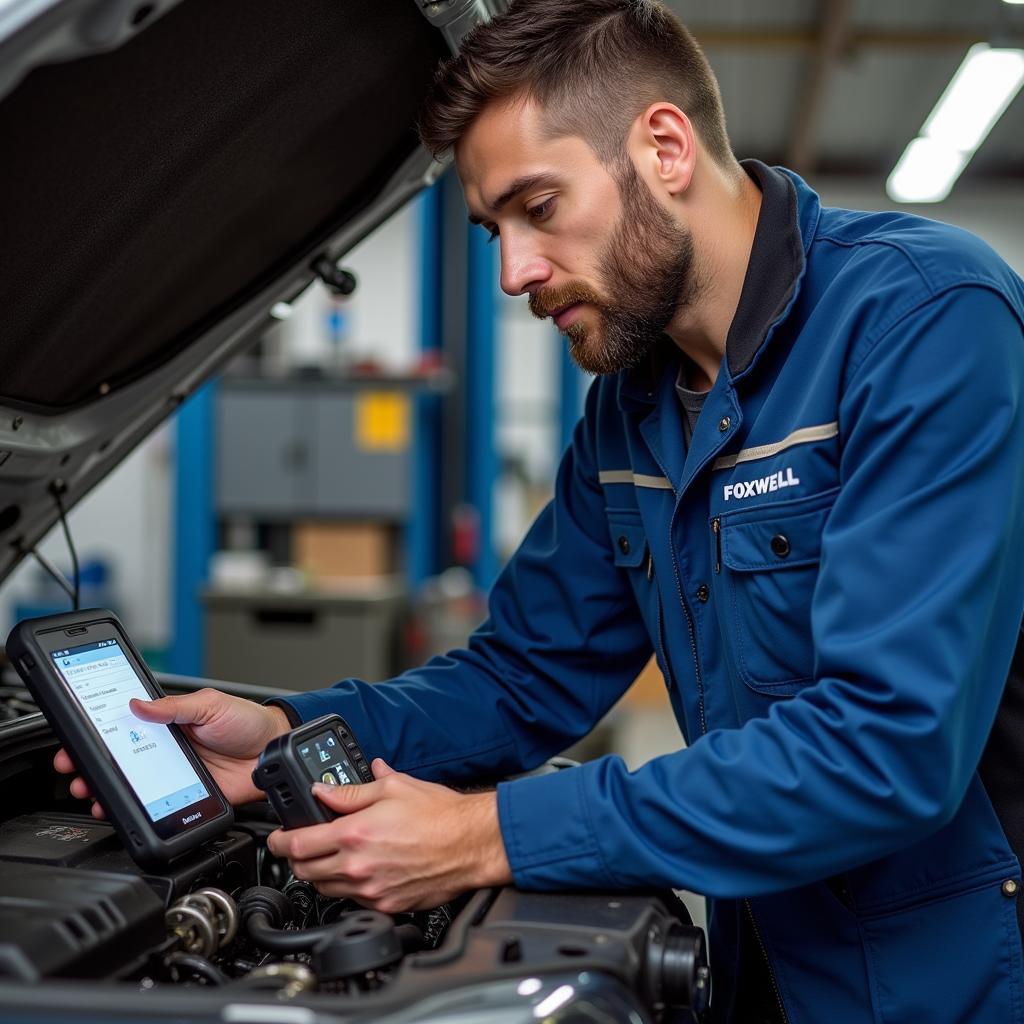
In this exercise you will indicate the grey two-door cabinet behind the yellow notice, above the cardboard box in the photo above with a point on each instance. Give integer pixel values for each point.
(288, 450)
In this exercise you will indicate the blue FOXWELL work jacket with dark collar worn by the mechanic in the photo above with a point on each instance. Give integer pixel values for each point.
(832, 579)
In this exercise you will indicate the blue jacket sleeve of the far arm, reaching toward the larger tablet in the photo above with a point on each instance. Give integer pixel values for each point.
(563, 643)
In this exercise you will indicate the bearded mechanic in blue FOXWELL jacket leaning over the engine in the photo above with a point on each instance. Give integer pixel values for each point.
(797, 482)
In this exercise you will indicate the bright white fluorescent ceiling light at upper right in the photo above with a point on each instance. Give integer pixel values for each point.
(983, 89)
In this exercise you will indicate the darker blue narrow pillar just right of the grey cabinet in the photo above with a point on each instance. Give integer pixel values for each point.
(423, 529)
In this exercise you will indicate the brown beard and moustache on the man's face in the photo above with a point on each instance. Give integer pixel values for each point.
(649, 274)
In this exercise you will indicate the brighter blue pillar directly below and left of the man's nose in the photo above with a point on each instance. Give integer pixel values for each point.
(482, 456)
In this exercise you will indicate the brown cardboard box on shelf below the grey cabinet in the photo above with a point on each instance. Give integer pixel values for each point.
(344, 550)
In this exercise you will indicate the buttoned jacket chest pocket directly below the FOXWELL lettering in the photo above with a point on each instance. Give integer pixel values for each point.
(769, 568)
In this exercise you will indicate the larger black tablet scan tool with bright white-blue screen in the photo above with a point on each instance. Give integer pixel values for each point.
(82, 670)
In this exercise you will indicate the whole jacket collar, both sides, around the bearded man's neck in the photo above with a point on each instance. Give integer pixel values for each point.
(789, 219)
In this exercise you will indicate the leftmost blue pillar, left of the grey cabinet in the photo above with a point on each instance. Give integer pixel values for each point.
(195, 528)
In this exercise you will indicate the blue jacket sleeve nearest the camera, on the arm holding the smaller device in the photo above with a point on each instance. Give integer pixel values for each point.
(915, 620)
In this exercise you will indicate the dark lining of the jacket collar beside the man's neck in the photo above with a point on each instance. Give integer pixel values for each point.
(776, 267)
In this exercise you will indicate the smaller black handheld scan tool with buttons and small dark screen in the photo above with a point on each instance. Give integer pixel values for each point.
(322, 751)
